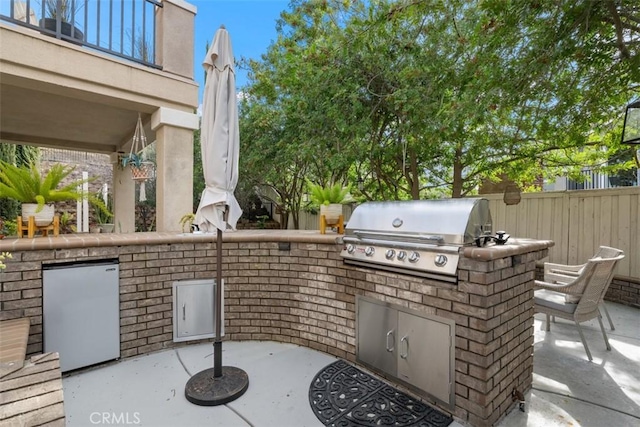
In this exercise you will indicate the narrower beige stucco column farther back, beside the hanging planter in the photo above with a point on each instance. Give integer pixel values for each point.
(124, 206)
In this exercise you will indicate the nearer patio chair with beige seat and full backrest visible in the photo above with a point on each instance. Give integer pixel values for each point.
(589, 286)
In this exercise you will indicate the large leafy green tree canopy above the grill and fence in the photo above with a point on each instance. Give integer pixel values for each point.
(428, 98)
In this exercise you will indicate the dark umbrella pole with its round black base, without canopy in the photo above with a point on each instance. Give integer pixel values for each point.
(217, 385)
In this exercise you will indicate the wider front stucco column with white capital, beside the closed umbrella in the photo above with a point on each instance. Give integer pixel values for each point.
(174, 172)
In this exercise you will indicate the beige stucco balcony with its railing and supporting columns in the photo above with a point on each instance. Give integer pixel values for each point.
(80, 83)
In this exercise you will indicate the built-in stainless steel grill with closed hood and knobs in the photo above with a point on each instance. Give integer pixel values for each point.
(419, 237)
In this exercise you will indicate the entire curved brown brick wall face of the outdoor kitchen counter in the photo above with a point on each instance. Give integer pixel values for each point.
(306, 296)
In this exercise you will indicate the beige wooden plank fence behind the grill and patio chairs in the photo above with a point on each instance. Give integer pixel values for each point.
(577, 221)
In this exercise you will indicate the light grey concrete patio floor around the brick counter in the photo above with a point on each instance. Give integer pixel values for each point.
(568, 390)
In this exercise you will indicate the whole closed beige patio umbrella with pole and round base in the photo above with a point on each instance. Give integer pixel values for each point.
(219, 209)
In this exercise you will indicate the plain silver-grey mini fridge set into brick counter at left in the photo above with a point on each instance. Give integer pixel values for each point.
(81, 319)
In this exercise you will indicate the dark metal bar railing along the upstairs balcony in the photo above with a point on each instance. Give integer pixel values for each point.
(124, 28)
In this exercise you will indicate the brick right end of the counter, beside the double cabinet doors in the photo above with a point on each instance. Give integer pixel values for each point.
(493, 309)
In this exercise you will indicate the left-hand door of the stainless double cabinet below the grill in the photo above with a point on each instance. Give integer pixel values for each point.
(376, 329)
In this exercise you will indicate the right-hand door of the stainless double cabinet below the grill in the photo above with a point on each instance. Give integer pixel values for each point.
(424, 352)
